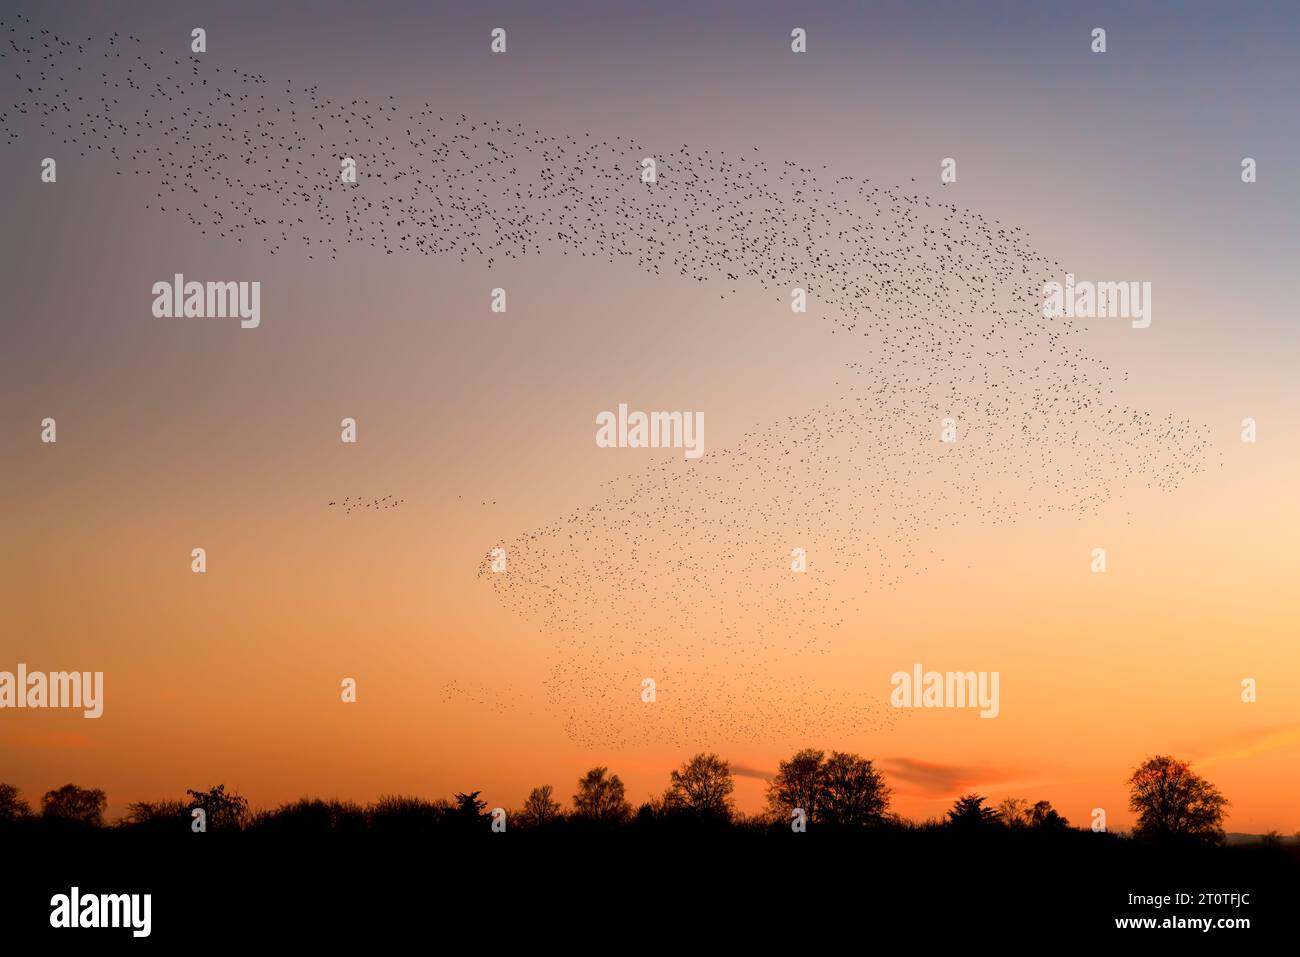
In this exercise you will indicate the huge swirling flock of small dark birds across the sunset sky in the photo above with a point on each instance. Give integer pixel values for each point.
(681, 573)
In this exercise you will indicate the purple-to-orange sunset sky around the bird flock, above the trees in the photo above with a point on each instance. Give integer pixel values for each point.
(183, 435)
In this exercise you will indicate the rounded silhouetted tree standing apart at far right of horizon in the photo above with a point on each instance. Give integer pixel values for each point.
(1173, 802)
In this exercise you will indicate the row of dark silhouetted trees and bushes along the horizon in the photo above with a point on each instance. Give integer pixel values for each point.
(813, 789)
